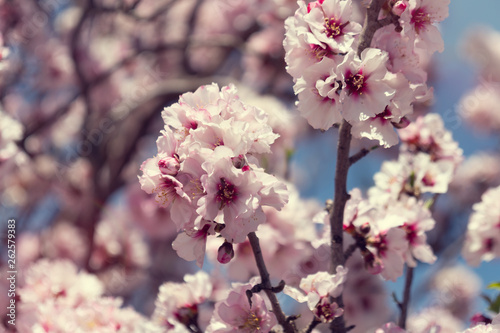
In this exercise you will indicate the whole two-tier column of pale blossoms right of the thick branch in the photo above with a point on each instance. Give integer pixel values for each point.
(390, 226)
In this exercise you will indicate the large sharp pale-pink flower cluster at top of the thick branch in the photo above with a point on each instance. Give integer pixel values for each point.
(374, 88)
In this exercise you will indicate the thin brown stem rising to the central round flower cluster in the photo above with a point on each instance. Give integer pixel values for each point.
(288, 327)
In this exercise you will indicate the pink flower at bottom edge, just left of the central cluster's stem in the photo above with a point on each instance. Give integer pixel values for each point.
(235, 314)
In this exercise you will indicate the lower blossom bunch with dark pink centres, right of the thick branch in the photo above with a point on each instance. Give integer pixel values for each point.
(389, 236)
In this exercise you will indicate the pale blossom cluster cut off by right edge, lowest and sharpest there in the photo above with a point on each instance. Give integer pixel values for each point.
(482, 242)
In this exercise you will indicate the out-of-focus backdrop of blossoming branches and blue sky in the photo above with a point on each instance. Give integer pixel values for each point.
(82, 86)
